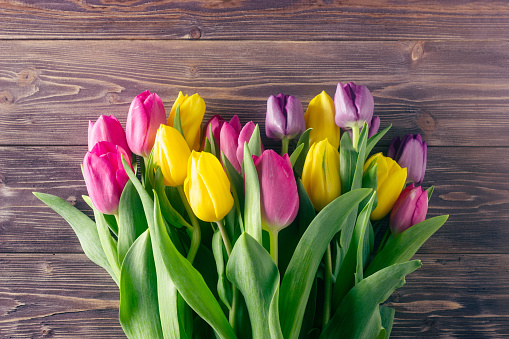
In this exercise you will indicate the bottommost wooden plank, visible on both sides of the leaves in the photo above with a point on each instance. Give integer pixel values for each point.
(67, 296)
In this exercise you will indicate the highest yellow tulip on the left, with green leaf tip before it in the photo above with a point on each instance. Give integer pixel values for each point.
(192, 110)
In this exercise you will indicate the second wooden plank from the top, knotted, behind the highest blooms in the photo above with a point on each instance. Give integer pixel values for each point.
(454, 93)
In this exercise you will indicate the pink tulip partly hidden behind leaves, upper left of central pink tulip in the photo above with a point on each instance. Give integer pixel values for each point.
(232, 140)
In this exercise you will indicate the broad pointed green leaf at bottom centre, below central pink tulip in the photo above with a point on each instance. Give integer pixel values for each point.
(255, 274)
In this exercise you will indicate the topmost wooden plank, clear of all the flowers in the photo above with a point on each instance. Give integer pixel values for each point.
(260, 20)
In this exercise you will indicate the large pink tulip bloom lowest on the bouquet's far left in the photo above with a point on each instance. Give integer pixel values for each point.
(105, 176)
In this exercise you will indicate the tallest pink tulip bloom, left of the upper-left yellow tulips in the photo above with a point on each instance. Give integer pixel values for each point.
(146, 114)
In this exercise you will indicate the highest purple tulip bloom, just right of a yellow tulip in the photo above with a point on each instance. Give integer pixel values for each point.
(354, 105)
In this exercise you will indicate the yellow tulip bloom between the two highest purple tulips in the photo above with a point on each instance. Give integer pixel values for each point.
(320, 117)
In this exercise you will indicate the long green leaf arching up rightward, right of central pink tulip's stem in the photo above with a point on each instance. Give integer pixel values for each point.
(301, 271)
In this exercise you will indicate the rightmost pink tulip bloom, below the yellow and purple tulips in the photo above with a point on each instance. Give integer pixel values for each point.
(410, 209)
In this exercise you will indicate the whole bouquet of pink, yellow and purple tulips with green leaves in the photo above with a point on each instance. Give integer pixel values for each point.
(207, 234)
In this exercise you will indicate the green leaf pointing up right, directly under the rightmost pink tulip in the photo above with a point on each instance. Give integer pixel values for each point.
(403, 247)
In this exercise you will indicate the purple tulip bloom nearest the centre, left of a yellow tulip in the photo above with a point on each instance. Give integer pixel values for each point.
(285, 117)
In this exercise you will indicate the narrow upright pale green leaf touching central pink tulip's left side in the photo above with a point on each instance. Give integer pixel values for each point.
(252, 221)
